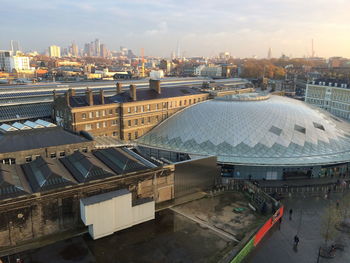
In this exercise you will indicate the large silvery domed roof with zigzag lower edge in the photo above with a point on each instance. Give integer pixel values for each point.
(273, 130)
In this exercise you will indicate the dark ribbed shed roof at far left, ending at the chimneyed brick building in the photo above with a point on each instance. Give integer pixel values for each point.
(25, 111)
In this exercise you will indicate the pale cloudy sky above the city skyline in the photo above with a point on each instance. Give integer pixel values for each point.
(200, 27)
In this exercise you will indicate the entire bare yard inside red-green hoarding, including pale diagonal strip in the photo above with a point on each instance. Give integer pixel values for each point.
(198, 231)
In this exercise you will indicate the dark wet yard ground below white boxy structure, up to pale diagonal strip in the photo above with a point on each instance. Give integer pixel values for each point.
(171, 237)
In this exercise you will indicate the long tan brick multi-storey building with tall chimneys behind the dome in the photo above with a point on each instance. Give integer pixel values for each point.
(126, 115)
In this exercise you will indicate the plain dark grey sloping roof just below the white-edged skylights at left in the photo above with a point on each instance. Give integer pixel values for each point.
(37, 138)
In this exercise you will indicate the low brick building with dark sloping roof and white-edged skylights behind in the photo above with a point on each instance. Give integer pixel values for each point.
(24, 142)
